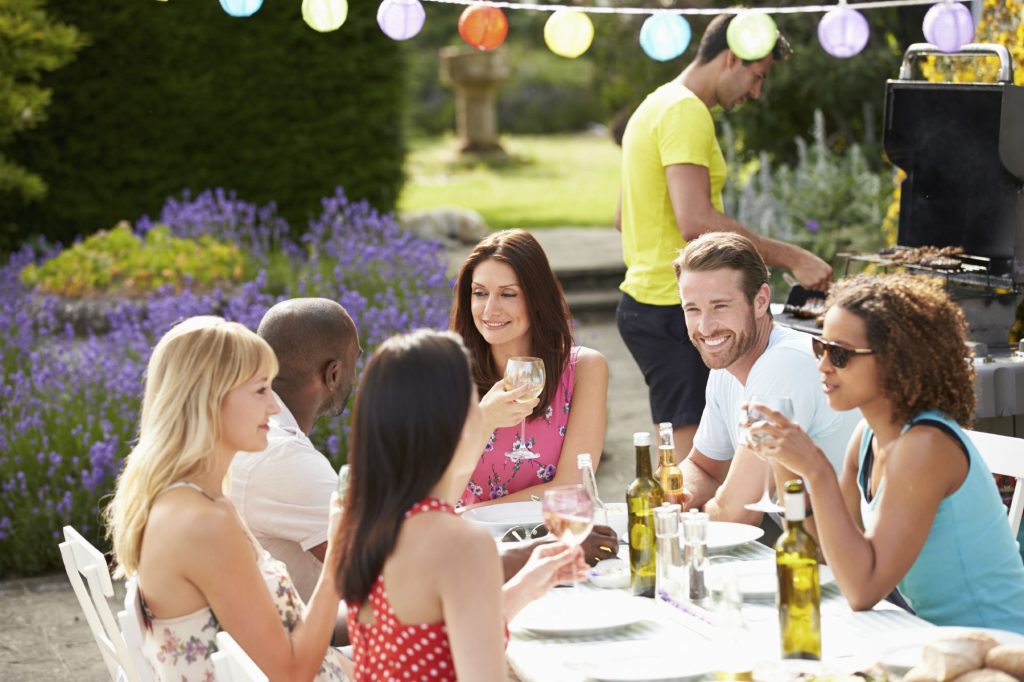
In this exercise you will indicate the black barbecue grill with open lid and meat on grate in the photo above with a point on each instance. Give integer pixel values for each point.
(962, 147)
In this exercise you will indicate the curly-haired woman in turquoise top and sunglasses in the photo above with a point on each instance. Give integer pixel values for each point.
(915, 507)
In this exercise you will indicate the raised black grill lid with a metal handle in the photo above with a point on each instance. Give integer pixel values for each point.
(962, 147)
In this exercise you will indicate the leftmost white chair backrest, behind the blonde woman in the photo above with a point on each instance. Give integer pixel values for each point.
(82, 561)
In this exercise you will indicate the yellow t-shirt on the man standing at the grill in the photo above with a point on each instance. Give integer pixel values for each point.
(672, 126)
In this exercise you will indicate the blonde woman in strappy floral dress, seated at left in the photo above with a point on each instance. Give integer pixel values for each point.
(200, 571)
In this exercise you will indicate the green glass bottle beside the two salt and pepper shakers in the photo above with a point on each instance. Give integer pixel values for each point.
(643, 497)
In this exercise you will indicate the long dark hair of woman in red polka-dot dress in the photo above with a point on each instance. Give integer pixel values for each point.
(410, 410)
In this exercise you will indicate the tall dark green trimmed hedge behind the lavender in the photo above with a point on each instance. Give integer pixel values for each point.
(173, 96)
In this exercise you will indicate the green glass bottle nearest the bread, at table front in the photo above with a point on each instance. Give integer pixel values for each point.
(799, 591)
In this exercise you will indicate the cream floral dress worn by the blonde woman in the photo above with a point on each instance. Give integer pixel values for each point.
(180, 649)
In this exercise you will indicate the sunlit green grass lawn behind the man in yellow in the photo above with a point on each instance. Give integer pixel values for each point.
(550, 181)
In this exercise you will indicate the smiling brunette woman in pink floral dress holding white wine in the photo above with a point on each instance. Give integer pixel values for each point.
(509, 304)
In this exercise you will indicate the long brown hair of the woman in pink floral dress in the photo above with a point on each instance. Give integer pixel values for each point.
(550, 337)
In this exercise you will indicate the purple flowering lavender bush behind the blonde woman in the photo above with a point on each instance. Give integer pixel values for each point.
(69, 405)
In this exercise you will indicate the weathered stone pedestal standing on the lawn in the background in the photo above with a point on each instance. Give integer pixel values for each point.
(475, 75)
